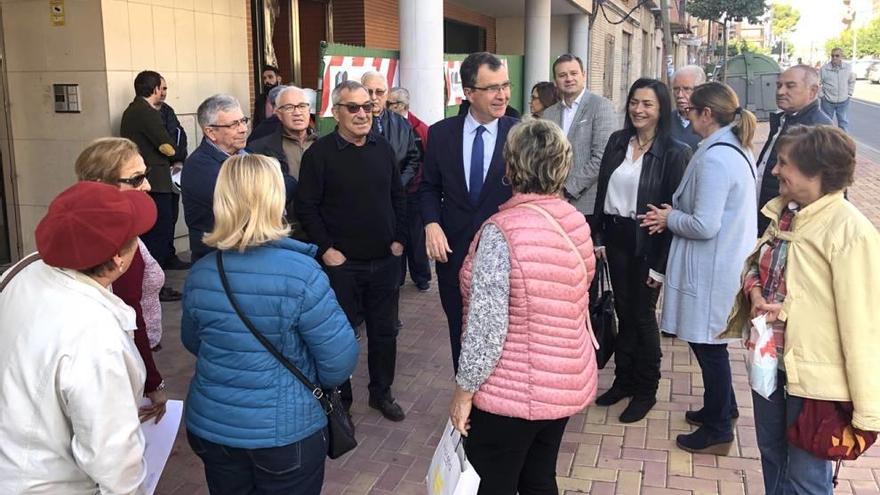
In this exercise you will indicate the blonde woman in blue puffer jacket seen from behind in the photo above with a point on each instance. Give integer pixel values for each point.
(254, 425)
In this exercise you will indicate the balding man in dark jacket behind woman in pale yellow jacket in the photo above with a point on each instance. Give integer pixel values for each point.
(797, 96)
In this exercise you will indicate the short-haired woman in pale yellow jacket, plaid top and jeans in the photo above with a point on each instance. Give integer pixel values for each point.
(814, 274)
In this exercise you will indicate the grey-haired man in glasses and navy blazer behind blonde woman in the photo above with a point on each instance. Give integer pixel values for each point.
(225, 131)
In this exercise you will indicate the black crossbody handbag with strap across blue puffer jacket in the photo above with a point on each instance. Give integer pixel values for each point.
(339, 425)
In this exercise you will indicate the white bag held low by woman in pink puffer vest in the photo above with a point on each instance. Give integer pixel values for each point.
(450, 472)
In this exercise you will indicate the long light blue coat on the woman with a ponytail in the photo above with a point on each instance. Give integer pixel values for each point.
(714, 226)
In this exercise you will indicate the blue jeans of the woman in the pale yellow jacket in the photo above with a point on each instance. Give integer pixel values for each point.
(787, 469)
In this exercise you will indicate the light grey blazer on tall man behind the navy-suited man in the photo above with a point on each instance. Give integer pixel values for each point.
(590, 129)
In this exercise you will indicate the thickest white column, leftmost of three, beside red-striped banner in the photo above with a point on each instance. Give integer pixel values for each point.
(421, 57)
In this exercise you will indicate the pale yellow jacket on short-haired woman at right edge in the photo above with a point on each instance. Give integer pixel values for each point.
(832, 306)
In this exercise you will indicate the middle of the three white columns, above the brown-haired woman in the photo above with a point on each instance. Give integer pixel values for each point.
(537, 44)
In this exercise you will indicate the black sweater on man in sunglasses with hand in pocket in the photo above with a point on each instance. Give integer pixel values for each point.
(350, 197)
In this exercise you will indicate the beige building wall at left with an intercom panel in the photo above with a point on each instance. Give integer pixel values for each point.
(199, 46)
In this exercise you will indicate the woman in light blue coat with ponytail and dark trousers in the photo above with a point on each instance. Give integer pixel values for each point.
(713, 222)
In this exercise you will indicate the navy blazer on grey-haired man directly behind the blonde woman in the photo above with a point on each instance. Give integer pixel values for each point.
(197, 183)
